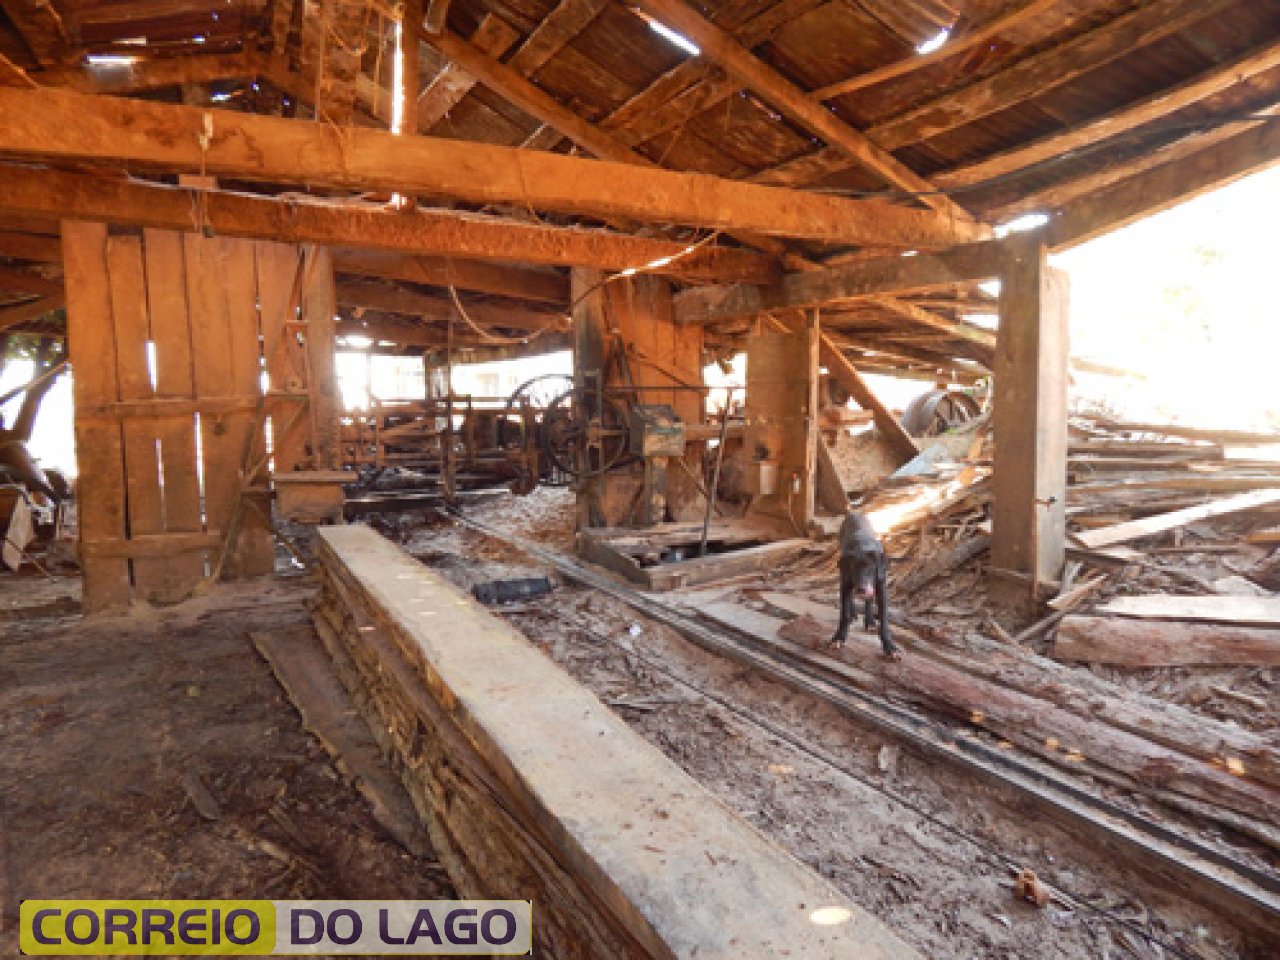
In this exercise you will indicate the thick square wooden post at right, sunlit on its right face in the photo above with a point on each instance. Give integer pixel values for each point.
(1030, 510)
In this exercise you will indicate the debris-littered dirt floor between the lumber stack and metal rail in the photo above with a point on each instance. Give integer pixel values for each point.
(925, 847)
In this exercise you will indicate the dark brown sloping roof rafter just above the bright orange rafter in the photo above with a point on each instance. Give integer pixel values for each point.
(1037, 75)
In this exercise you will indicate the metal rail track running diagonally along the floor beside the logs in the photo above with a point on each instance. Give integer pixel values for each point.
(1254, 894)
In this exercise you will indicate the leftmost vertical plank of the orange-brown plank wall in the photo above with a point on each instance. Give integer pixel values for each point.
(99, 452)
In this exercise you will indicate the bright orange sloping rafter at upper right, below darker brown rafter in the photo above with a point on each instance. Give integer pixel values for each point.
(1144, 112)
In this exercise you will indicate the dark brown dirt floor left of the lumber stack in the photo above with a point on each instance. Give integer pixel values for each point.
(156, 756)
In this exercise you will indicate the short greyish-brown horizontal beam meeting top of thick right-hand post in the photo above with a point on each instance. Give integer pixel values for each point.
(866, 278)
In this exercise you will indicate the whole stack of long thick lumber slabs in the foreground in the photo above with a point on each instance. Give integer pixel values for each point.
(532, 789)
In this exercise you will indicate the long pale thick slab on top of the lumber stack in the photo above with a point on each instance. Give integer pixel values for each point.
(643, 835)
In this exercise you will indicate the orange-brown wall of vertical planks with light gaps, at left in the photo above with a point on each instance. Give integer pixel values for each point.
(171, 419)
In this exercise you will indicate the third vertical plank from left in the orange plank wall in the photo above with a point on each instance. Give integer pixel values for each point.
(171, 332)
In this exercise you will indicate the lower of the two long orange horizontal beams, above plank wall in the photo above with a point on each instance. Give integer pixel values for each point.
(84, 198)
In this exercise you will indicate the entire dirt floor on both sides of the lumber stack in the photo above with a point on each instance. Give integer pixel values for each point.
(157, 756)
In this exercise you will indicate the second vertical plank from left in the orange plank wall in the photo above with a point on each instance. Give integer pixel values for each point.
(145, 508)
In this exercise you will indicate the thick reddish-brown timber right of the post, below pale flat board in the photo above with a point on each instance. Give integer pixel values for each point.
(1137, 644)
